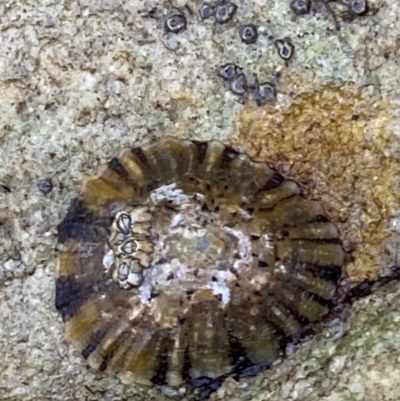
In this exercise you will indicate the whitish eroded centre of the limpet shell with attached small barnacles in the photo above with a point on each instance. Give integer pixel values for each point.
(193, 250)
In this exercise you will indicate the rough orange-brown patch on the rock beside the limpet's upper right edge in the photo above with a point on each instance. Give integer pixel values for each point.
(337, 143)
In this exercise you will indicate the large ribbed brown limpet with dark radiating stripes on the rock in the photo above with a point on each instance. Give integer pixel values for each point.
(187, 261)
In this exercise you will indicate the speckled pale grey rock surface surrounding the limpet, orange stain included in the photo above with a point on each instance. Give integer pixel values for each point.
(80, 80)
